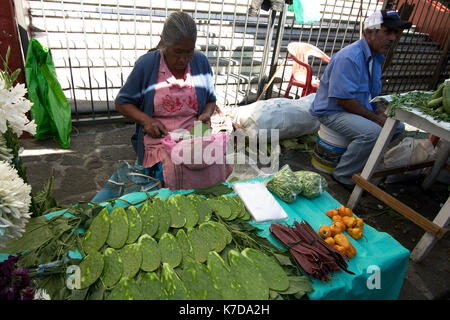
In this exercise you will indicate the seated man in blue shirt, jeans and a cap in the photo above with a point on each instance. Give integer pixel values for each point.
(350, 81)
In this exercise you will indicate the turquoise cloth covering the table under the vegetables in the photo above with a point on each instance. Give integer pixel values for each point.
(379, 266)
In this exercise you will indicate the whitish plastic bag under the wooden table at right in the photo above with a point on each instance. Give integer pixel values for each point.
(408, 152)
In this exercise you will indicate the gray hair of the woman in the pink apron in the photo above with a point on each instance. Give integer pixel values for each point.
(178, 26)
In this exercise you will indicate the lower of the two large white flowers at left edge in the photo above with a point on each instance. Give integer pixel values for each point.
(15, 201)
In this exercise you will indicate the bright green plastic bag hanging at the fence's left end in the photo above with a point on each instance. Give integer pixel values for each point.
(50, 111)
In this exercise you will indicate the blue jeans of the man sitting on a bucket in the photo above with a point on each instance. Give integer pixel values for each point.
(362, 134)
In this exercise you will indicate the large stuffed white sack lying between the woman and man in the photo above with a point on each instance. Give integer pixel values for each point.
(290, 117)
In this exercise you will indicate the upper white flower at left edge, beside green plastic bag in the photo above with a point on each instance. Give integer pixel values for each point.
(13, 109)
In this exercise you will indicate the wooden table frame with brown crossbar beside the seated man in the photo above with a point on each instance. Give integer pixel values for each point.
(434, 229)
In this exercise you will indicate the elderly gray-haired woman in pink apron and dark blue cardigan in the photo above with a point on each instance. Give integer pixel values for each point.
(169, 88)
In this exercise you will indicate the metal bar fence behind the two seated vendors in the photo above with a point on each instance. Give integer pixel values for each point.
(94, 44)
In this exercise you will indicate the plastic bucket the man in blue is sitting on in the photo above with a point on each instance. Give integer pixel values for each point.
(328, 150)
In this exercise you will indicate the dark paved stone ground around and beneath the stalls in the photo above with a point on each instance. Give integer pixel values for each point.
(82, 170)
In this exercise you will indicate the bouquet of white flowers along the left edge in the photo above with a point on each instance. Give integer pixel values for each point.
(15, 193)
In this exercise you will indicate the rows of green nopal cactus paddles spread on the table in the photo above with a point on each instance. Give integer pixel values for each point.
(175, 249)
